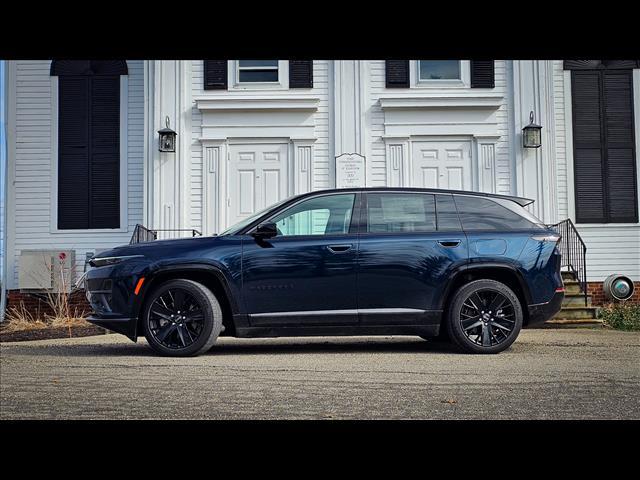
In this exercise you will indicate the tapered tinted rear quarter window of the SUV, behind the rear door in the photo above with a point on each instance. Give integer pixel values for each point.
(484, 214)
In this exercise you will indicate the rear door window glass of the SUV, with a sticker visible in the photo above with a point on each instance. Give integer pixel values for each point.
(397, 212)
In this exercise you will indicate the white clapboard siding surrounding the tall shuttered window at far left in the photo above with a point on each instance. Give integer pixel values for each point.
(31, 190)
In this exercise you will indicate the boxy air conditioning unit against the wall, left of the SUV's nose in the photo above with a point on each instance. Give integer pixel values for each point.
(49, 270)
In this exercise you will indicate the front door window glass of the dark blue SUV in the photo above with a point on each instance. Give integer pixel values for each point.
(326, 215)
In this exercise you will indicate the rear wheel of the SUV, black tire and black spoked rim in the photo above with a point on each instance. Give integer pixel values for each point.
(472, 322)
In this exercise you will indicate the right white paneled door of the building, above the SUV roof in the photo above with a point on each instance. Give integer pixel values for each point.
(445, 165)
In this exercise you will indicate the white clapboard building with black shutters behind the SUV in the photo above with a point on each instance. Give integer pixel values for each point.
(84, 165)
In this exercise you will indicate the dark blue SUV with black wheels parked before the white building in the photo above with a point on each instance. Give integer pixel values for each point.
(471, 268)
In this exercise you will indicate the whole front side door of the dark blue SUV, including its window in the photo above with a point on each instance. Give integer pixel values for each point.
(306, 274)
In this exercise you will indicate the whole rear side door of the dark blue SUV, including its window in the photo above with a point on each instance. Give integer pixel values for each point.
(402, 274)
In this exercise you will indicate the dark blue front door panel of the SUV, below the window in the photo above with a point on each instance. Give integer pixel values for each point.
(300, 281)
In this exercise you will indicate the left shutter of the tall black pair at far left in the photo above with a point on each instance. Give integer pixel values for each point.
(73, 152)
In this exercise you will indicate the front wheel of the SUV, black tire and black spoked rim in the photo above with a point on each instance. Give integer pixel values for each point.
(191, 332)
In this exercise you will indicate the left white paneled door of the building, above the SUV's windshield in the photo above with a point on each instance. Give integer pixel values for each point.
(258, 177)
